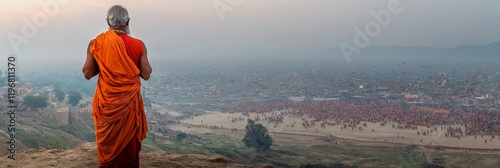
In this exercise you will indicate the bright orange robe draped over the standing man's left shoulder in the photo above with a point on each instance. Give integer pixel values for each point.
(118, 109)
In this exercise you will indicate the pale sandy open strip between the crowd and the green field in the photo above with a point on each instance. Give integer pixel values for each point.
(372, 132)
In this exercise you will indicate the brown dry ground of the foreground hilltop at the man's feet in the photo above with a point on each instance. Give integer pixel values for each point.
(85, 156)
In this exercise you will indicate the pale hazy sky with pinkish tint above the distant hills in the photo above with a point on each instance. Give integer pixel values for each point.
(261, 24)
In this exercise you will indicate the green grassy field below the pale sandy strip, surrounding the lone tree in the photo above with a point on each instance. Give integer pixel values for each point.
(293, 150)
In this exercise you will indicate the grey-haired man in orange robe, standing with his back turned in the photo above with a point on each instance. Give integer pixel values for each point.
(118, 109)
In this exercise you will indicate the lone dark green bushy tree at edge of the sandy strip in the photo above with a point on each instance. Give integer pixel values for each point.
(257, 137)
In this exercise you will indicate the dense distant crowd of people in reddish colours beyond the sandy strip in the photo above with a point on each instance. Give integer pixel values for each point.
(352, 112)
